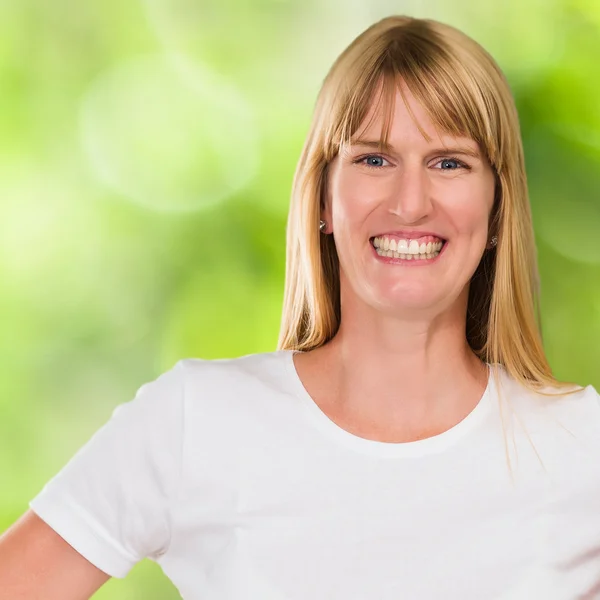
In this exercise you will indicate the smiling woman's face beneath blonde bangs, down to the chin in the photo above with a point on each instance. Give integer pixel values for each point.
(414, 191)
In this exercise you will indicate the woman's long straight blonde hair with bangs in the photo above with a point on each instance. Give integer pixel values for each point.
(466, 94)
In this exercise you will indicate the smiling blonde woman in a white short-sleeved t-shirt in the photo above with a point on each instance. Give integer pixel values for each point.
(407, 440)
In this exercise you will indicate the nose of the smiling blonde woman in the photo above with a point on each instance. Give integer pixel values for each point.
(410, 197)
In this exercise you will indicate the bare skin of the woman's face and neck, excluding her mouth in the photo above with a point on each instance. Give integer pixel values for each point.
(400, 368)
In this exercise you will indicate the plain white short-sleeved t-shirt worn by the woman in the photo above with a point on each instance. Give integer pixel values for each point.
(227, 474)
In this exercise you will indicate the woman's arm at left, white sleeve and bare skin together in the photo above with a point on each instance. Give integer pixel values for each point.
(110, 506)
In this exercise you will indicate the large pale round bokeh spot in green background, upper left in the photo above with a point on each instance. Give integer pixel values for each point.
(167, 140)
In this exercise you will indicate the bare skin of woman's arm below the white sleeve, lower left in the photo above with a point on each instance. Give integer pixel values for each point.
(35, 562)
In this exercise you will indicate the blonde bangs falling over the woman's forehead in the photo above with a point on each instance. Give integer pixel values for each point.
(449, 92)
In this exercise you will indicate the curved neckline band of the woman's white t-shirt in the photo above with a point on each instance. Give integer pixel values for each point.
(434, 444)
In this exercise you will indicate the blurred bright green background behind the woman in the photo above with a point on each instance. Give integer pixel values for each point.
(148, 149)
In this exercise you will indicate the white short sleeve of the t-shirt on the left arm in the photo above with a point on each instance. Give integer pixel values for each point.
(112, 500)
